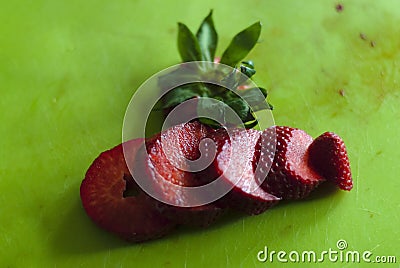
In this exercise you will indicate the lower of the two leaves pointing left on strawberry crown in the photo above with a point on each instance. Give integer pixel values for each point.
(178, 95)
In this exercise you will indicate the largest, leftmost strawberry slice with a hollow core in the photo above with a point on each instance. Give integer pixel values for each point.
(114, 202)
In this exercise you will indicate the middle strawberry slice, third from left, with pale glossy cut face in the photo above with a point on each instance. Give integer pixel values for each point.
(234, 163)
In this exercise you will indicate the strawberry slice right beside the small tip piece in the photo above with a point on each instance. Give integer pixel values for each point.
(290, 176)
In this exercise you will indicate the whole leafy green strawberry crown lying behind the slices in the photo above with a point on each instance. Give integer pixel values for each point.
(214, 109)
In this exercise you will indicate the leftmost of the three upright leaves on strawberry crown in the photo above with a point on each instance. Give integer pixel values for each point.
(188, 45)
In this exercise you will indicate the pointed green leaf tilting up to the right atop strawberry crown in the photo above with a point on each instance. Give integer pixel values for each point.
(241, 45)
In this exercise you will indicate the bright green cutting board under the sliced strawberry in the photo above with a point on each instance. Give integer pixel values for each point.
(69, 68)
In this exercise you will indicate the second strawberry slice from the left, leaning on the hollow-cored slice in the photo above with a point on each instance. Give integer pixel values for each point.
(172, 157)
